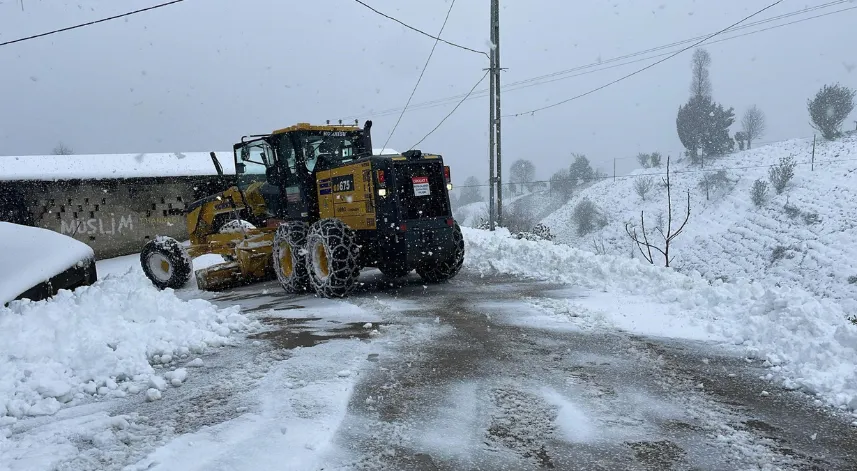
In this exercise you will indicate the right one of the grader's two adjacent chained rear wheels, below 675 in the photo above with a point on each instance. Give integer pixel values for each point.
(331, 258)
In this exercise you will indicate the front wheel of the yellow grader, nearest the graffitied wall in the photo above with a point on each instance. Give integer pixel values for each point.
(166, 263)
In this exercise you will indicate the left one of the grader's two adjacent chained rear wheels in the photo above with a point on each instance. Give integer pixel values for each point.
(289, 257)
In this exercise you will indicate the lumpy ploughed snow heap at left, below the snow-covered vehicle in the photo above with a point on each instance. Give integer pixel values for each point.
(102, 339)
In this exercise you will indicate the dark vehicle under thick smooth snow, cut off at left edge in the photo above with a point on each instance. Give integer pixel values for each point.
(40, 262)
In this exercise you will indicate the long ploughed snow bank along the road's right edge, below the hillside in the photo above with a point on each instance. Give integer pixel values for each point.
(806, 339)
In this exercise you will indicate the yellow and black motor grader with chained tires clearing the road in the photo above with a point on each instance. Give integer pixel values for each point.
(311, 206)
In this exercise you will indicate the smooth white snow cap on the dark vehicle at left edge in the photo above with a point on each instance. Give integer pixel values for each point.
(32, 255)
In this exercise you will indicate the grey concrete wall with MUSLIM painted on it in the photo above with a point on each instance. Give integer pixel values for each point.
(114, 217)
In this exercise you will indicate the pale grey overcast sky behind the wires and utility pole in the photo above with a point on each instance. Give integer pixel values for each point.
(198, 75)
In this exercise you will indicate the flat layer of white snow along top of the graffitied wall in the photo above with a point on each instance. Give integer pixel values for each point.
(103, 166)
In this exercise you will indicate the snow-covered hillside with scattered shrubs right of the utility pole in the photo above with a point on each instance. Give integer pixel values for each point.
(805, 237)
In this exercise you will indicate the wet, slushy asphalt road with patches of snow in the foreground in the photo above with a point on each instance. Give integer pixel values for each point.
(483, 393)
